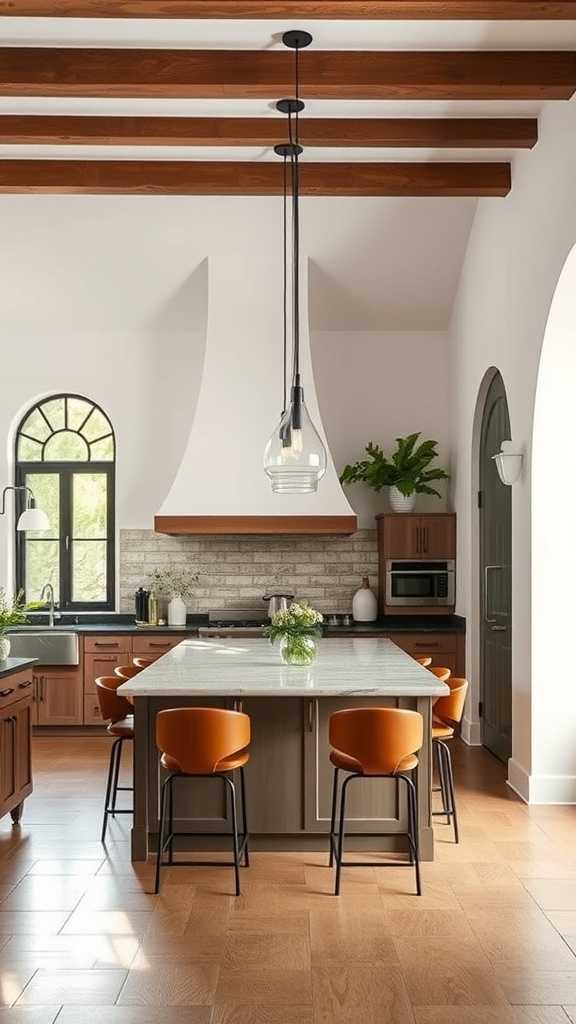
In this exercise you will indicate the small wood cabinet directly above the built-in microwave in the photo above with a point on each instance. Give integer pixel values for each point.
(419, 537)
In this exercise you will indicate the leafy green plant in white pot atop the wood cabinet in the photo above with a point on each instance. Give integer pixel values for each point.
(406, 473)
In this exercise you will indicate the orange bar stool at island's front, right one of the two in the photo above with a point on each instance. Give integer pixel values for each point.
(375, 743)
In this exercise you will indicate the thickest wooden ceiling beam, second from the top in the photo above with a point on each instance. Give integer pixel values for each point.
(269, 74)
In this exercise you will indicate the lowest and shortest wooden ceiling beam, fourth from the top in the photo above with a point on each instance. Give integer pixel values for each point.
(248, 179)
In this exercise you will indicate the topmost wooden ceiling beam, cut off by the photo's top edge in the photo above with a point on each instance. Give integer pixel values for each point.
(317, 10)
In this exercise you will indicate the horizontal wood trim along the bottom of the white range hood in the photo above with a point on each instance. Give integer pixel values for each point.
(255, 525)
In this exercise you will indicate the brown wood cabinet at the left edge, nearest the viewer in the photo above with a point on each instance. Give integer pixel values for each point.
(16, 729)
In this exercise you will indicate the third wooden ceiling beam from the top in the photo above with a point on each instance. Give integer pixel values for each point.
(386, 133)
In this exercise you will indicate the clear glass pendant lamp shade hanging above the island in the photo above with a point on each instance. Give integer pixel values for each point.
(296, 457)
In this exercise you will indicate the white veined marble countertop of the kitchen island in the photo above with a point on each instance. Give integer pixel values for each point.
(345, 667)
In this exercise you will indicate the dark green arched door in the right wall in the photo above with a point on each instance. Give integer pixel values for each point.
(496, 558)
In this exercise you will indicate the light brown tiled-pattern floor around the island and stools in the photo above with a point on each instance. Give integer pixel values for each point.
(492, 941)
